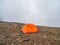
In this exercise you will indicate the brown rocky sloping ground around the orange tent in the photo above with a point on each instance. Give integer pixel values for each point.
(11, 34)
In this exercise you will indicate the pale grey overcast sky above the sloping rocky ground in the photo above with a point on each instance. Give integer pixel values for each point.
(39, 12)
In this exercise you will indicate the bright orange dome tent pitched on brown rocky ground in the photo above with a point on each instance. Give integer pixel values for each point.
(29, 28)
